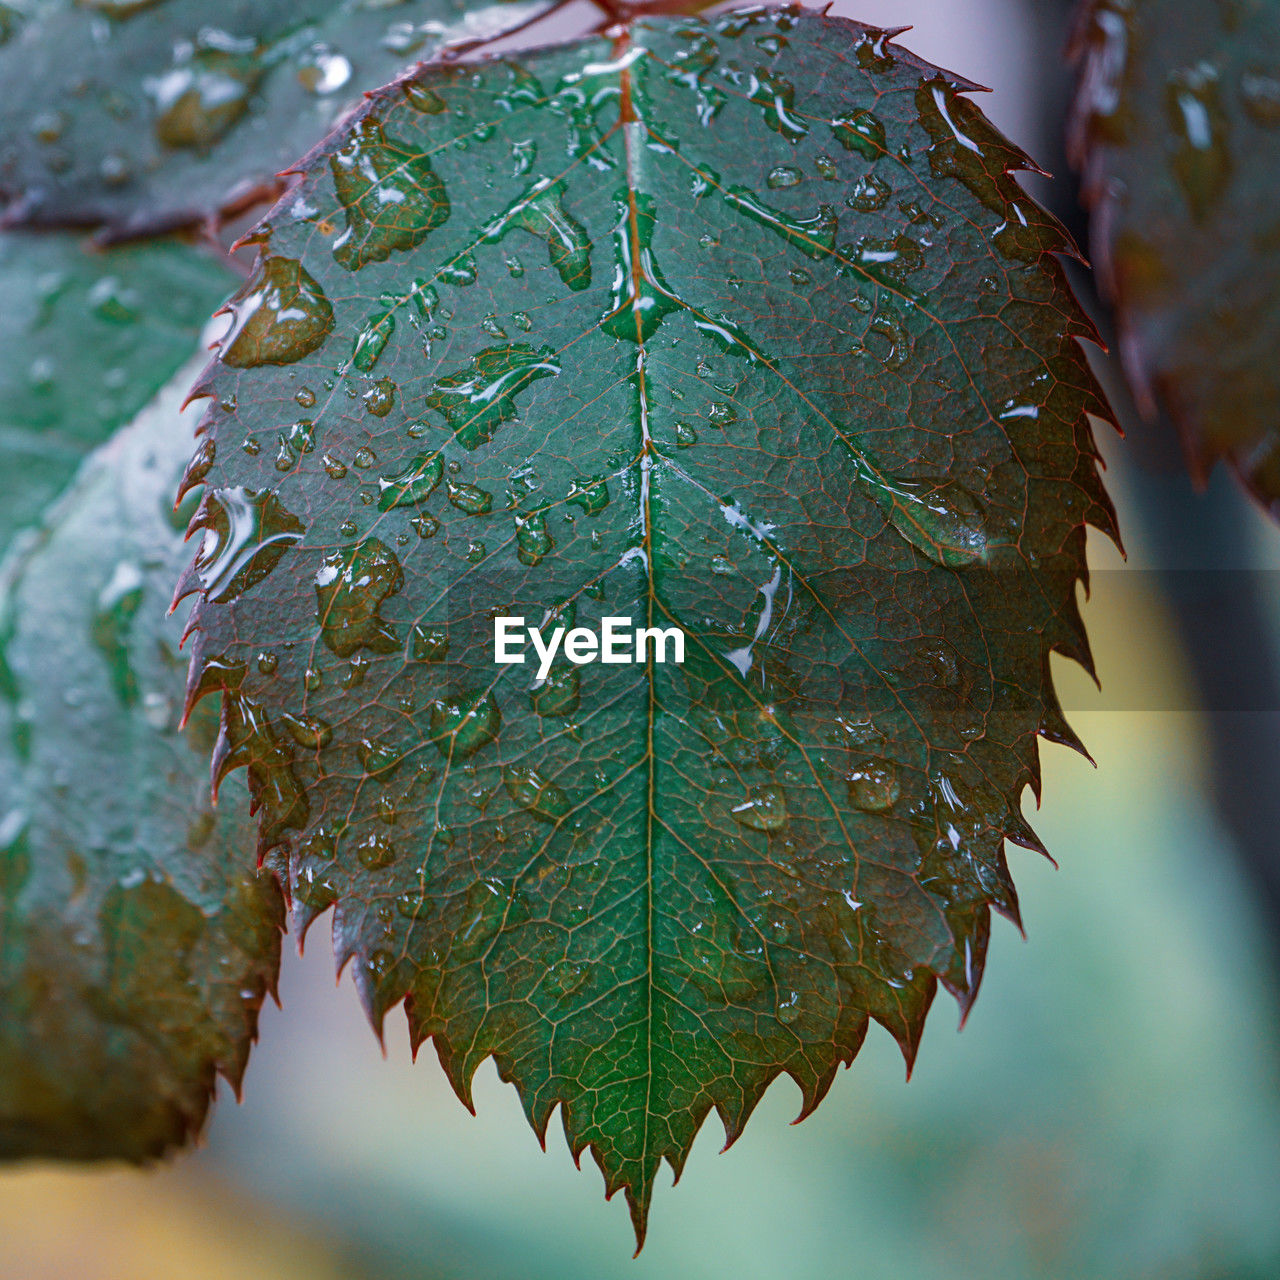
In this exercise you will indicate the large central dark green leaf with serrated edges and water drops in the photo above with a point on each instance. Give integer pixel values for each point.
(743, 328)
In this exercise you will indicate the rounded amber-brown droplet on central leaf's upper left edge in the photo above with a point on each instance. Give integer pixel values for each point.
(280, 317)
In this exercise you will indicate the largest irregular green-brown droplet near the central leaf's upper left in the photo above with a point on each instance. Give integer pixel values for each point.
(392, 196)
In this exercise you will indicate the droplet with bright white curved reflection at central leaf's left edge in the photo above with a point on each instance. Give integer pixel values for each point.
(248, 533)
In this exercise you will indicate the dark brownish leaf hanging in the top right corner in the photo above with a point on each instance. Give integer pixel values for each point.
(1178, 134)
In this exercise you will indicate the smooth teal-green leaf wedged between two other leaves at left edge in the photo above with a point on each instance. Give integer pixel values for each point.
(86, 340)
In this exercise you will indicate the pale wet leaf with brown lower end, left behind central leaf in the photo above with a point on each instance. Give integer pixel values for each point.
(136, 938)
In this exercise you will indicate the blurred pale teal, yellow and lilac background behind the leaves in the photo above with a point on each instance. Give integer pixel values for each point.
(1110, 1110)
